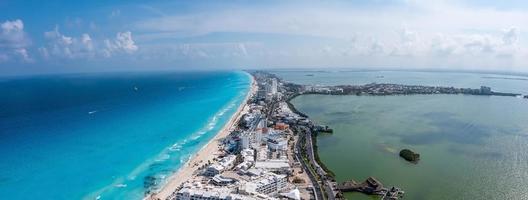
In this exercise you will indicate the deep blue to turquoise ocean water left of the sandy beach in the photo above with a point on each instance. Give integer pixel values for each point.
(112, 136)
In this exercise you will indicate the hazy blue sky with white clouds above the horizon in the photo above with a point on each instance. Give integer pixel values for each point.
(97, 36)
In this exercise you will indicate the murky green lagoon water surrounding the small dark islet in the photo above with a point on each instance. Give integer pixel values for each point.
(472, 147)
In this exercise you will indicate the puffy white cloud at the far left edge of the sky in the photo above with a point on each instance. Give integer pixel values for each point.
(14, 41)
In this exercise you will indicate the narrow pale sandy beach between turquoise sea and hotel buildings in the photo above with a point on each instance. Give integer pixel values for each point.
(208, 152)
